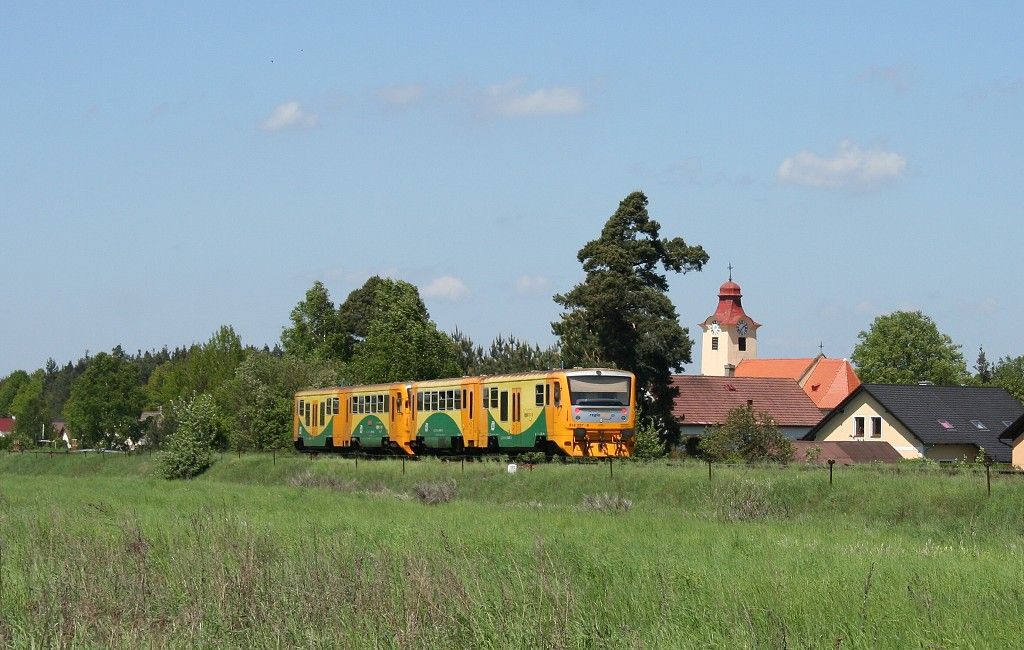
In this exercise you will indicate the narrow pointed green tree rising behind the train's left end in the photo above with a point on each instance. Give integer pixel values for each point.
(316, 330)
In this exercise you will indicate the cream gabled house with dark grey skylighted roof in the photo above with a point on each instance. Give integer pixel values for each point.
(943, 423)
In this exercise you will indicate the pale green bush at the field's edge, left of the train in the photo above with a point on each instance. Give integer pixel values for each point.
(189, 452)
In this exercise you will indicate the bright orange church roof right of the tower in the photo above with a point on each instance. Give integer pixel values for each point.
(827, 382)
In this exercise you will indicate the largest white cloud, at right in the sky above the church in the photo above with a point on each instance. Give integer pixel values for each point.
(850, 166)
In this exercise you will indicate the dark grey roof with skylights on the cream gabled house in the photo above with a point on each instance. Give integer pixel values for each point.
(923, 410)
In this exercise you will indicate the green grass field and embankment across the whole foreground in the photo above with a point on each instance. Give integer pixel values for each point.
(95, 551)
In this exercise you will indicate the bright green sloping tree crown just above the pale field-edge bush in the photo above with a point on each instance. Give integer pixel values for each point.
(203, 369)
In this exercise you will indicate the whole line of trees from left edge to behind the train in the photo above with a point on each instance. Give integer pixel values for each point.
(240, 396)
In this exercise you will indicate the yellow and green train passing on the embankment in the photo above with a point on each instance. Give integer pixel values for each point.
(576, 413)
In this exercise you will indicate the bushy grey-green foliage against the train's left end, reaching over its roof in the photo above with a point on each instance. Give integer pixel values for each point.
(258, 401)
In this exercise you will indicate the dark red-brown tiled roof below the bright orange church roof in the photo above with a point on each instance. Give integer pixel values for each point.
(706, 401)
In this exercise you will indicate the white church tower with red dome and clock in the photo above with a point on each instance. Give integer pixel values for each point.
(730, 335)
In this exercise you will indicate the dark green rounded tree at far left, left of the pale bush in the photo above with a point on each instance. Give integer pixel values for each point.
(105, 403)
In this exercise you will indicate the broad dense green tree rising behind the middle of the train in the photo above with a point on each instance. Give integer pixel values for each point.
(403, 343)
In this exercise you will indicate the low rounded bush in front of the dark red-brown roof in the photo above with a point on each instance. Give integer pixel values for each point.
(747, 436)
